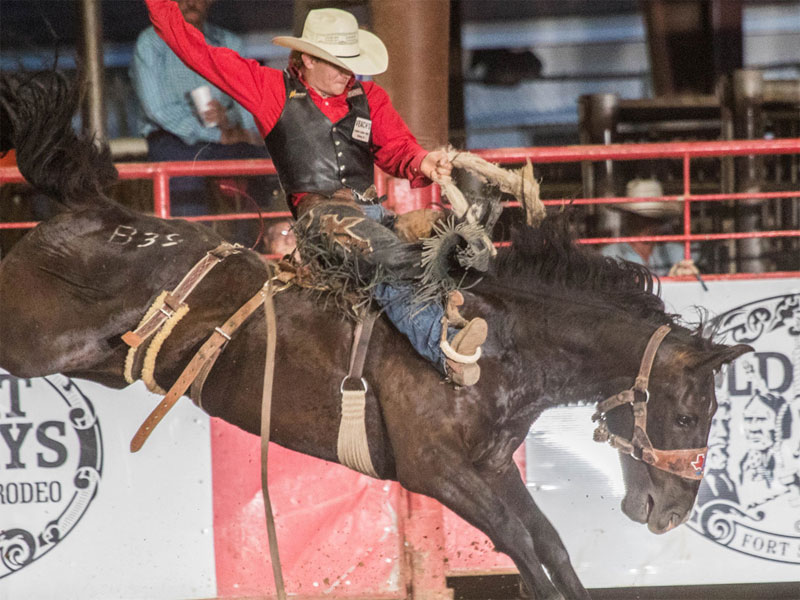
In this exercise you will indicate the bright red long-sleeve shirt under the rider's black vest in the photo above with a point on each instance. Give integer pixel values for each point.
(261, 90)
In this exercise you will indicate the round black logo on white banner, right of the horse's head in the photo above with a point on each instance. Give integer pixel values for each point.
(749, 499)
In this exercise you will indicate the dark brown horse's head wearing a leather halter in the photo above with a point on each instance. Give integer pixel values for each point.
(662, 465)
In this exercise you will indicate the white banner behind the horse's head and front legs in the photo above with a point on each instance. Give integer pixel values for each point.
(746, 524)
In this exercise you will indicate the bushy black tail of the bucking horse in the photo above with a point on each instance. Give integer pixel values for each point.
(36, 111)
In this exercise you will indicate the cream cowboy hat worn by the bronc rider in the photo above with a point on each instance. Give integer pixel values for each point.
(333, 35)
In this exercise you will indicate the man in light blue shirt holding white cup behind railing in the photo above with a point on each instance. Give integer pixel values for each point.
(172, 125)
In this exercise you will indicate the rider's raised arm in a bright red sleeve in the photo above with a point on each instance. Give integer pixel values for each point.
(258, 89)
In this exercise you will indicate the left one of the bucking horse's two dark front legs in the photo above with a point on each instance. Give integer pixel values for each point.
(456, 484)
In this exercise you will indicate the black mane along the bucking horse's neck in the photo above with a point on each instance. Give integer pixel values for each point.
(546, 259)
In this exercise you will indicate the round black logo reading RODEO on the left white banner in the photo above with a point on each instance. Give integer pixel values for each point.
(51, 458)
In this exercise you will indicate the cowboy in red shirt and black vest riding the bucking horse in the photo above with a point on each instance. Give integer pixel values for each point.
(325, 130)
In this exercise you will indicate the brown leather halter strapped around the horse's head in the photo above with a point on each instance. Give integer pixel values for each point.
(683, 463)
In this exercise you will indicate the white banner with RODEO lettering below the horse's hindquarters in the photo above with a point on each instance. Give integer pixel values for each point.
(80, 517)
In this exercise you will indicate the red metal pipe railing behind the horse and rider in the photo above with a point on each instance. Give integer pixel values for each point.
(403, 199)
